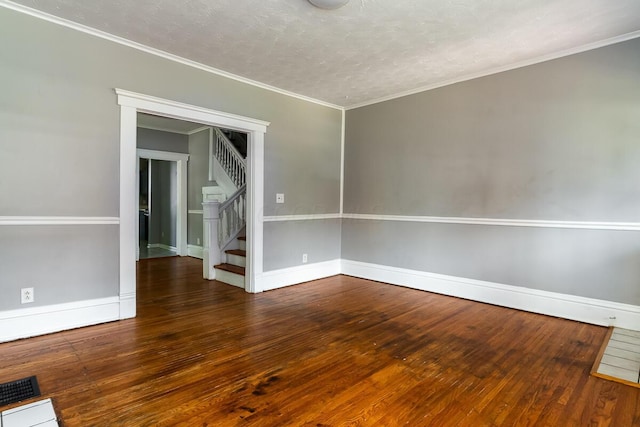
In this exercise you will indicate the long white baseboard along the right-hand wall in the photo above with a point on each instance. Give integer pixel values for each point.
(588, 310)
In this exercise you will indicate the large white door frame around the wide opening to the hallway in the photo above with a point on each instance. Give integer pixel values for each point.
(131, 104)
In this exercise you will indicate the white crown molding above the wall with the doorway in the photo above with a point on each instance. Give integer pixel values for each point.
(157, 52)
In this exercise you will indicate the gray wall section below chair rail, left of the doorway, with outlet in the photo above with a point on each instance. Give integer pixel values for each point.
(36, 256)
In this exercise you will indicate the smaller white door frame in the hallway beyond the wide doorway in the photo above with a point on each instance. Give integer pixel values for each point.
(181, 204)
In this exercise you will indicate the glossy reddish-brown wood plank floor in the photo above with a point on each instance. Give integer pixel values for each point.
(334, 352)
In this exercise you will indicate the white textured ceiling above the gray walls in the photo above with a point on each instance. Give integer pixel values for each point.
(367, 50)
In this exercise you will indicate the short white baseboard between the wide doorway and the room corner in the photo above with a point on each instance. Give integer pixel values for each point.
(293, 275)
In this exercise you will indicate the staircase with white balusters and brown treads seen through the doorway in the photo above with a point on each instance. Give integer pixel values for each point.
(225, 256)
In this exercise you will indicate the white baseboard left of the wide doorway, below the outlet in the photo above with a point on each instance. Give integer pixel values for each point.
(33, 321)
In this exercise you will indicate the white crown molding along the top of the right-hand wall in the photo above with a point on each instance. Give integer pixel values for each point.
(501, 69)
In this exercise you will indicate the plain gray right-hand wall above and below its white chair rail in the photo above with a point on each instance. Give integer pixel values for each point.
(553, 141)
